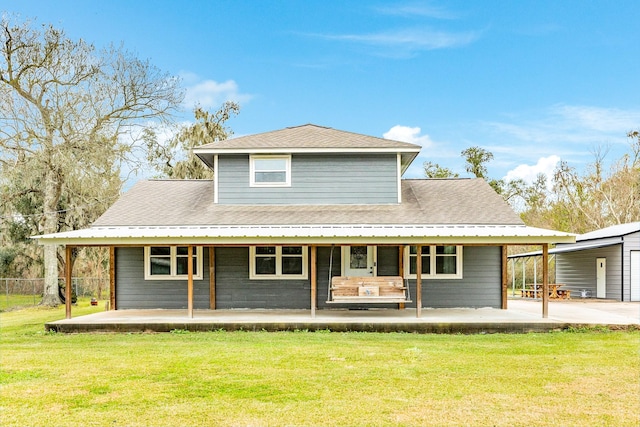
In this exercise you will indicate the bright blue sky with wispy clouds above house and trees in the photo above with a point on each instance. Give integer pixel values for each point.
(531, 81)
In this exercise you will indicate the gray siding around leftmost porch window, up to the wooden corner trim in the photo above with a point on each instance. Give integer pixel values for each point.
(134, 292)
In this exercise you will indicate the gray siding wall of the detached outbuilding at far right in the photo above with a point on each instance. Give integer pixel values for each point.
(577, 270)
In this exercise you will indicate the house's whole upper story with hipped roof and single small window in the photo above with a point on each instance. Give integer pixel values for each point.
(307, 164)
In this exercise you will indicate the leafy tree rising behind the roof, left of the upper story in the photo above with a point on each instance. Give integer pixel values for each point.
(169, 158)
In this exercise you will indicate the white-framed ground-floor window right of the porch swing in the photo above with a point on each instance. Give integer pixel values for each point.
(442, 262)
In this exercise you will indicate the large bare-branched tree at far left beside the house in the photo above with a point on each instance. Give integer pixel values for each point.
(64, 109)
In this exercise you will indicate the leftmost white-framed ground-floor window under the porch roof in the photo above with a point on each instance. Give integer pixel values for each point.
(171, 262)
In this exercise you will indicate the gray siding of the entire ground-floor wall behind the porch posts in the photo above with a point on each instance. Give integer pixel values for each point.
(480, 286)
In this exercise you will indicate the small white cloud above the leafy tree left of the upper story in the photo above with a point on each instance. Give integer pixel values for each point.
(211, 94)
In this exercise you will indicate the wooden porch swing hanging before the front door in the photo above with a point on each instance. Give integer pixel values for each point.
(366, 290)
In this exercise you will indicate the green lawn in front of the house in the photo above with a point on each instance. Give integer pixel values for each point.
(313, 378)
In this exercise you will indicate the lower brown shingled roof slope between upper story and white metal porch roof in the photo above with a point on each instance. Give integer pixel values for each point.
(430, 201)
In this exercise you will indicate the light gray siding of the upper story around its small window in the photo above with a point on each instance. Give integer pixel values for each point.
(315, 179)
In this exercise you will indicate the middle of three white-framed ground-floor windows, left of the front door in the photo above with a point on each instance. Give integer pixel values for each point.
(278, 262)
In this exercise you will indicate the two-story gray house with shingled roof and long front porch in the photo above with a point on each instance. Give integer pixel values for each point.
(289, 211)
